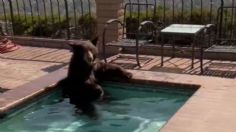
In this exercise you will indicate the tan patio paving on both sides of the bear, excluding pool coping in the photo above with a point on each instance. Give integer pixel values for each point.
(28, 63)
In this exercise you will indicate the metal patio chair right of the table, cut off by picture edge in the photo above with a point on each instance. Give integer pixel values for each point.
(222, 35)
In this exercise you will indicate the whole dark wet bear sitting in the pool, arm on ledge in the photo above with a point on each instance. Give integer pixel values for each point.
(84, 75)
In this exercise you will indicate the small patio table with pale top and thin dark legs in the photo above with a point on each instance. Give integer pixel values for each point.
(177, 30)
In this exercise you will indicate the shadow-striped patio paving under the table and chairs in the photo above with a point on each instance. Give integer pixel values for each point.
(226, 69)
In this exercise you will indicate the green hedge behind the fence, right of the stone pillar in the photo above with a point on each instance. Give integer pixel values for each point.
(196, 17)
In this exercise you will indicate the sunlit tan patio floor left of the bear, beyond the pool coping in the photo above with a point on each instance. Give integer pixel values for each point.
(29, 63)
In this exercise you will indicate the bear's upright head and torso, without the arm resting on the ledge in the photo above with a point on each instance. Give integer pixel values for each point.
(80, 85)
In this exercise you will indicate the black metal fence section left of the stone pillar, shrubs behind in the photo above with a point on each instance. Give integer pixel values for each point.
(48, 18)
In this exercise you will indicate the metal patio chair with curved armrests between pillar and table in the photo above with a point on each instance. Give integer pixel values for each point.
(134, 14)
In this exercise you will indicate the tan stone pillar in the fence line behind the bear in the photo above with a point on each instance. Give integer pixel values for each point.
(107, 9)
